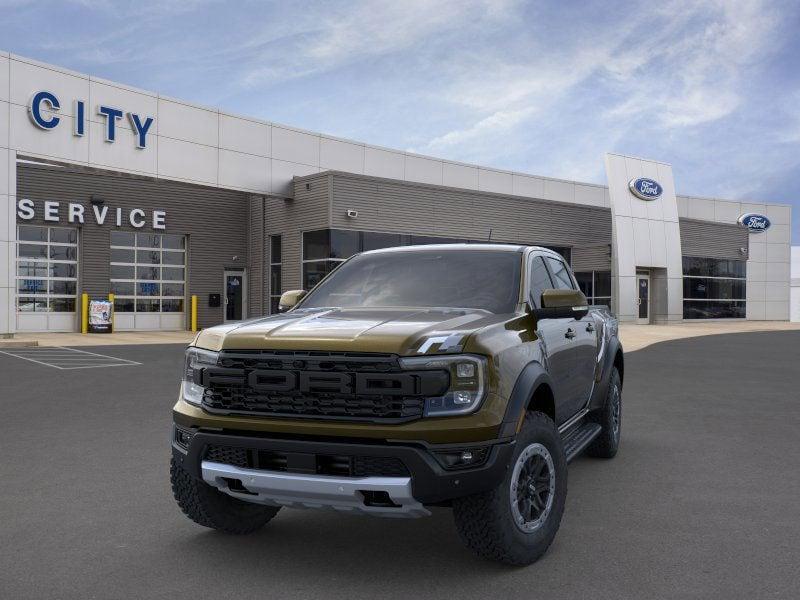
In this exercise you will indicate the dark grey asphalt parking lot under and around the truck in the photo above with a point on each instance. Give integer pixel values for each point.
(703, 500)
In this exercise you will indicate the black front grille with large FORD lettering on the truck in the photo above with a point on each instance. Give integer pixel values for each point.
(323, 385)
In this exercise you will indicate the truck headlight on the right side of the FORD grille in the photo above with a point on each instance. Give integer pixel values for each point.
(467, 382)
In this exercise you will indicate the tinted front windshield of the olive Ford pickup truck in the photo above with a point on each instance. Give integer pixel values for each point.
(424, 278)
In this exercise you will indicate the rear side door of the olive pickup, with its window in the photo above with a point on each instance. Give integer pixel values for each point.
(583, 343)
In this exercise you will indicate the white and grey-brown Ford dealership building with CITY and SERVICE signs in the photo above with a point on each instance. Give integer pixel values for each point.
(106, 189)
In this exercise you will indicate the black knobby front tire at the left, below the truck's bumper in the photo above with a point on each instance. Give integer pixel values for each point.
(209, 507)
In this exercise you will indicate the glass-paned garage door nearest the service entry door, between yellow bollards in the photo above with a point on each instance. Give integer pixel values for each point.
(148, 280)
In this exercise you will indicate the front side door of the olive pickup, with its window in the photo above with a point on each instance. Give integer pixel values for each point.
(553, 334)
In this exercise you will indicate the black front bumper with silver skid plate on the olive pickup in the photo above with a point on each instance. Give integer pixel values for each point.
(299, 483)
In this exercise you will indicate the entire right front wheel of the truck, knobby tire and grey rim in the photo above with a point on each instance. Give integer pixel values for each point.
(516, 522)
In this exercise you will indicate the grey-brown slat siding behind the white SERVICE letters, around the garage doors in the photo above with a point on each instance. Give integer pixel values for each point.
(215, 221)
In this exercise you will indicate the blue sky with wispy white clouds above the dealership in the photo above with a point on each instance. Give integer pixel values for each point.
(543, 87)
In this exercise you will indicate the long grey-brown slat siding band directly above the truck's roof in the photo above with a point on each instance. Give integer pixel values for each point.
(401, 207)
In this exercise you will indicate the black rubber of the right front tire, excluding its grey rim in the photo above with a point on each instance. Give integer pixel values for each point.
(485, 521)
